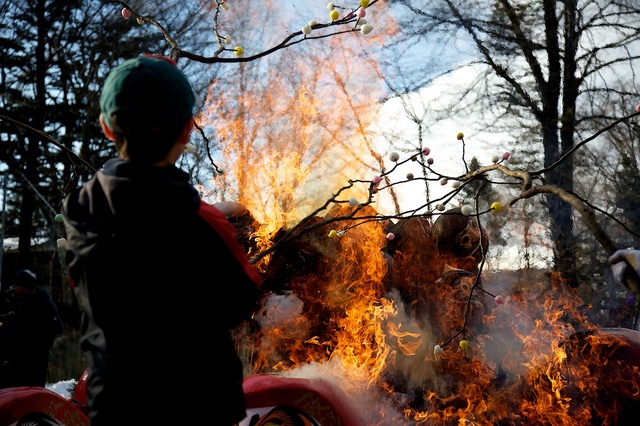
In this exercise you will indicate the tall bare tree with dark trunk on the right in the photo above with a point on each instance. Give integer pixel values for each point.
(540, 65)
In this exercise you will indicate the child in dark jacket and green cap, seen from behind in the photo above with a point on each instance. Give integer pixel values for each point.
(158, 273)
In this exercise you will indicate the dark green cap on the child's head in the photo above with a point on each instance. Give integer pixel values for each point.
(150, 91)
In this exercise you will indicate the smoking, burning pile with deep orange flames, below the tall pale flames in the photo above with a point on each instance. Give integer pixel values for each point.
(397, 310)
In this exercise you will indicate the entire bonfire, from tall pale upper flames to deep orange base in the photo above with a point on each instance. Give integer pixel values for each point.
(371, 309)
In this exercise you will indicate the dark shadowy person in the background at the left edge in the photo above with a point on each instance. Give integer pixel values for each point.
(30, 325)
